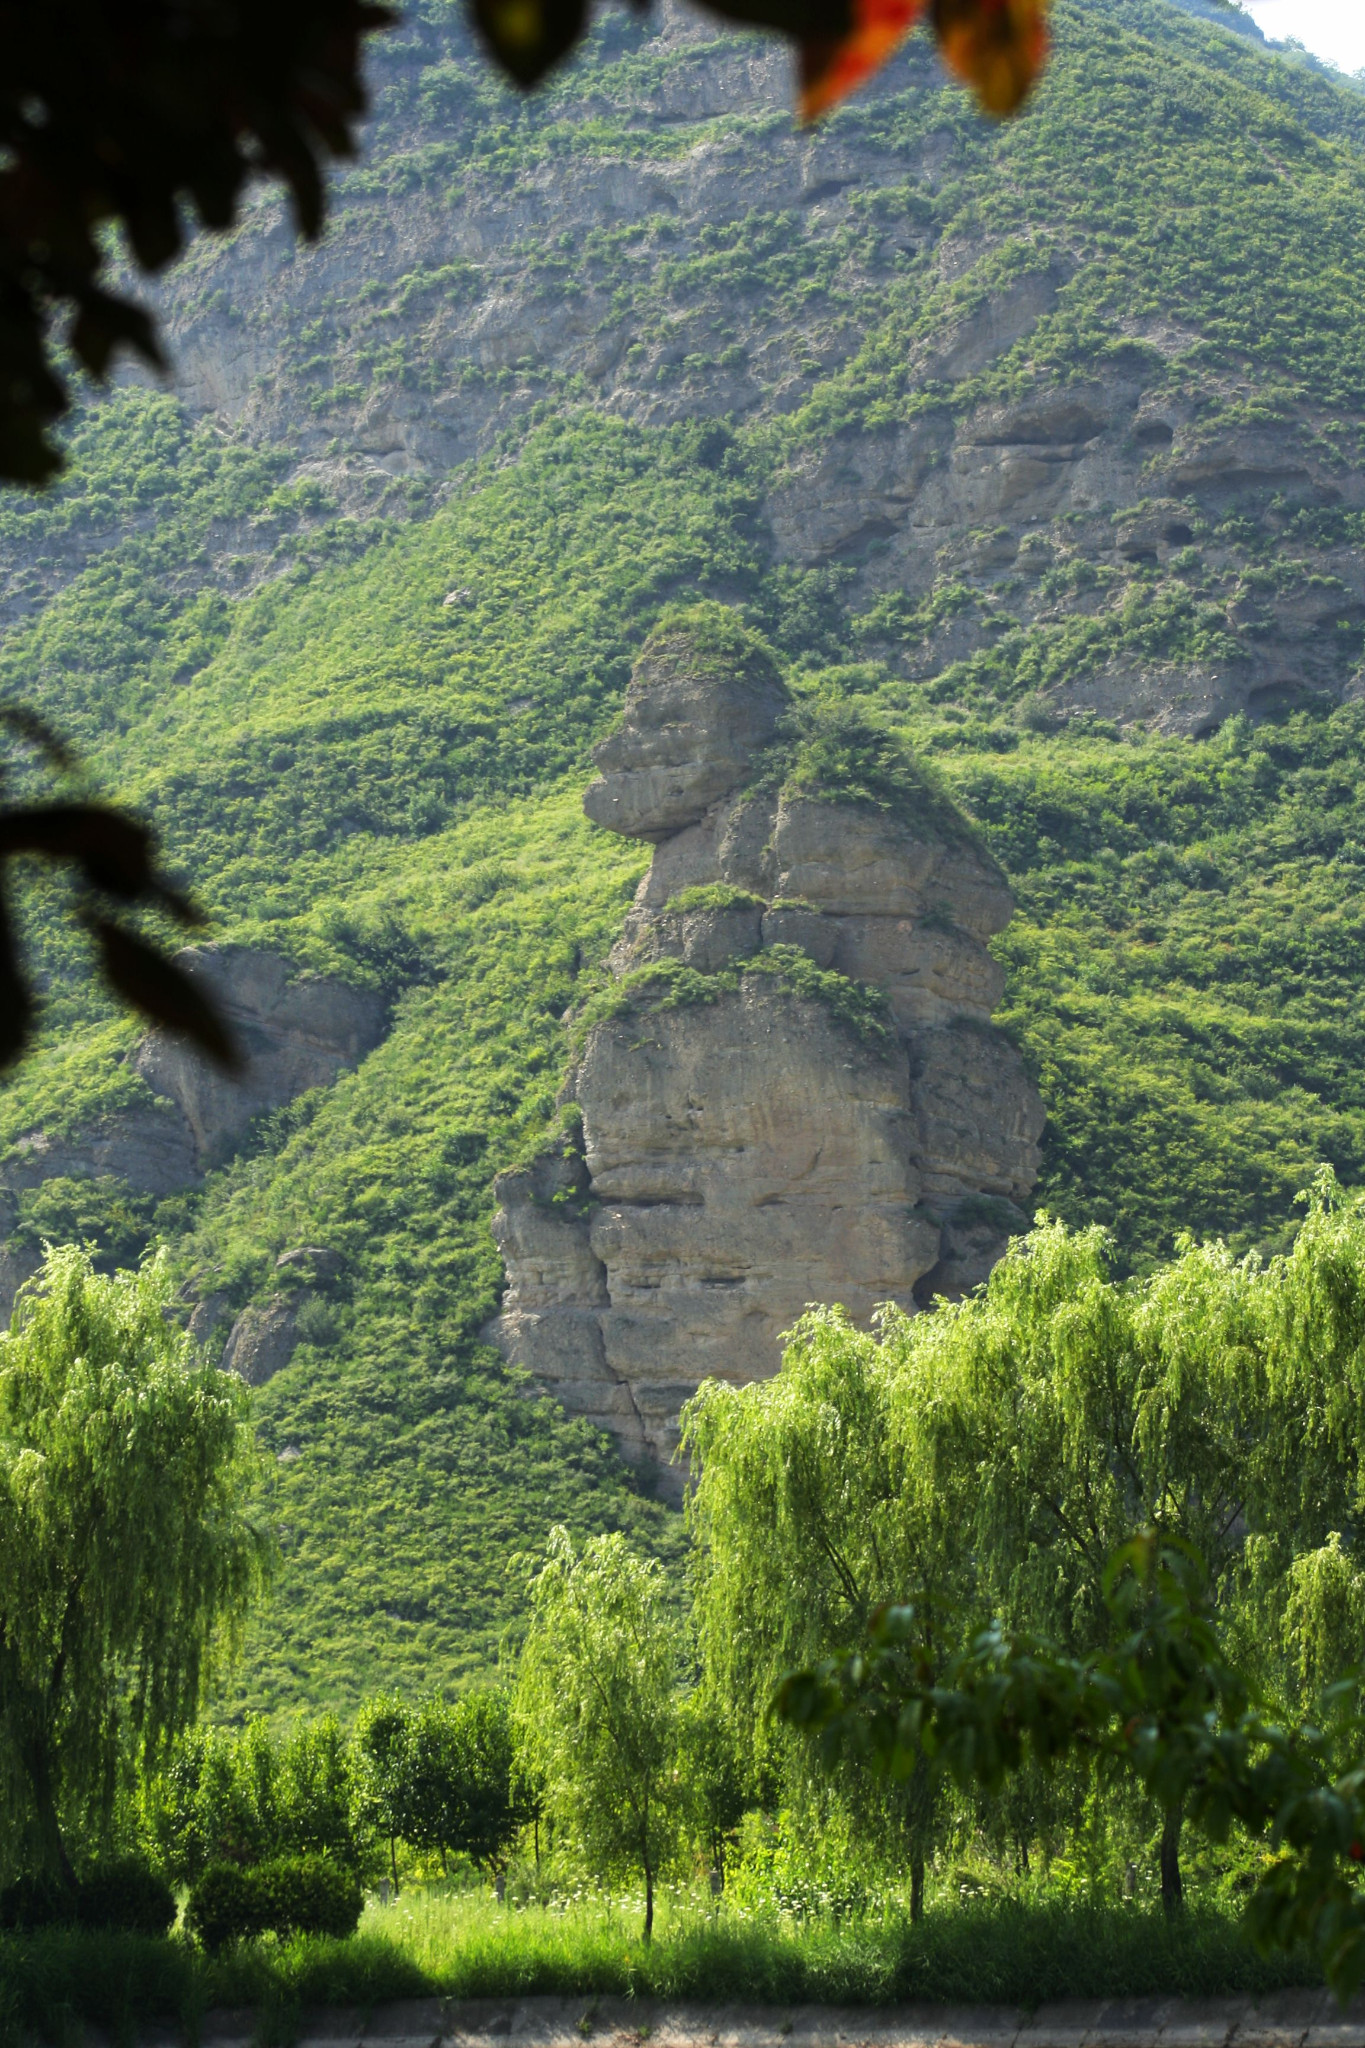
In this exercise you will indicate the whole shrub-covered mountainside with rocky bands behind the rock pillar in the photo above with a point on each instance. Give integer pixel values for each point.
(1039, 443)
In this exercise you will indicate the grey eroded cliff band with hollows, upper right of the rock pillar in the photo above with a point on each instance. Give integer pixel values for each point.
(1020, 499)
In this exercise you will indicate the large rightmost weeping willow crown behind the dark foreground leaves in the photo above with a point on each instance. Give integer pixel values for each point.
(1221, 1404)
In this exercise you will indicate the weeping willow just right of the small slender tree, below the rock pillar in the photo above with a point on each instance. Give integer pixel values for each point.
(809, 1517)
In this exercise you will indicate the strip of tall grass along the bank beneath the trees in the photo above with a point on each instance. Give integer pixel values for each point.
(464, 1947)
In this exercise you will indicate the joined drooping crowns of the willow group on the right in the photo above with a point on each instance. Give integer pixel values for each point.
(1041, 1426)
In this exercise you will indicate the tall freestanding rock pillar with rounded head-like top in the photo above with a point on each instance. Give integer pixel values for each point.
(758, 1132)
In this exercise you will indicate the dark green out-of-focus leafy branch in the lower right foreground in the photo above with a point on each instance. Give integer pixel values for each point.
(1163, 1703)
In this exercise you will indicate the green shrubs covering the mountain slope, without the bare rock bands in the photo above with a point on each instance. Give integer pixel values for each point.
(386, 785)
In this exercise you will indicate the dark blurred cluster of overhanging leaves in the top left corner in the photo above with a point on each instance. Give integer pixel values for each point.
(142, 114)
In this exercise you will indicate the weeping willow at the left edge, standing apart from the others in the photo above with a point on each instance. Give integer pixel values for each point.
(128, 1553)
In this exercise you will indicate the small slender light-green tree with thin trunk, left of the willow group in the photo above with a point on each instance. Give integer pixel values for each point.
(599, 1703)
